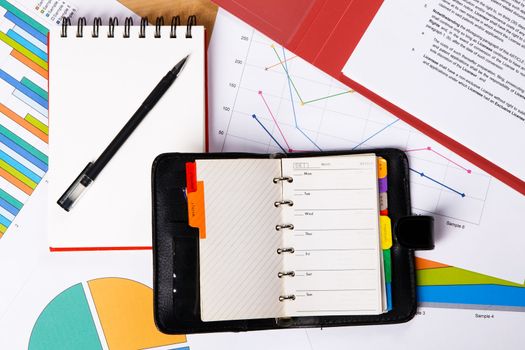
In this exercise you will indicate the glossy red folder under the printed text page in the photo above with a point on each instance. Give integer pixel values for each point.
(325, 33)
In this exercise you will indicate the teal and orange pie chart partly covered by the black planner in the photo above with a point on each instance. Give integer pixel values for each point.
(114, 313)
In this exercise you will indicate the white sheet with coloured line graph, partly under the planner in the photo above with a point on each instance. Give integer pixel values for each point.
(471, 207)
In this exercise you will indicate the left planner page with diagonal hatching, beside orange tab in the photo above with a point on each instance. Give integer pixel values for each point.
(238, 260)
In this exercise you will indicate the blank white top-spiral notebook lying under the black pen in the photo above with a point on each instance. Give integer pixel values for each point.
(99, 76)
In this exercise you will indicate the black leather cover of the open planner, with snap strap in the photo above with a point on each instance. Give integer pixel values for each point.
(176, 250)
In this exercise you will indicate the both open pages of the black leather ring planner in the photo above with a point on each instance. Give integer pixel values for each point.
(327, 263)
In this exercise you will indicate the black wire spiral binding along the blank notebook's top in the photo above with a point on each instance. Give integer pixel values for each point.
(128, 22)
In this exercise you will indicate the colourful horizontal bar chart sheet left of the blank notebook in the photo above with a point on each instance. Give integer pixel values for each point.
(23, 109)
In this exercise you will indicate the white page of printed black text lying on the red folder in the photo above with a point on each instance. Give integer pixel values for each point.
(457, 66)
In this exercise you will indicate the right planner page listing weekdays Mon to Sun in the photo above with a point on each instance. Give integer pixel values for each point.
(336, 258)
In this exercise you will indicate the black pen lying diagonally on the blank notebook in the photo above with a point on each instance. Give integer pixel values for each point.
(91, 171)
